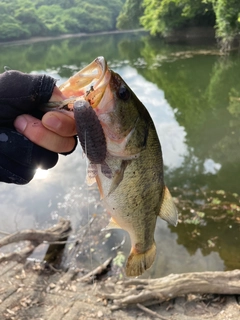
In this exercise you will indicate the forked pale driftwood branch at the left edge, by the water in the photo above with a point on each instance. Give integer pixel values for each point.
(58, 232)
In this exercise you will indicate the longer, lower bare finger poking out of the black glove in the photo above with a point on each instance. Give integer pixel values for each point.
(33, 129)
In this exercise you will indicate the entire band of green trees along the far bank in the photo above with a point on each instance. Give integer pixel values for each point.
(29, 18)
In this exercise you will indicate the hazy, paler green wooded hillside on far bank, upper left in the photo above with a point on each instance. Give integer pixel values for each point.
(30, 18)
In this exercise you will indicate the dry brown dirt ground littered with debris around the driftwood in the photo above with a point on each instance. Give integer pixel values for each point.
(34, 292)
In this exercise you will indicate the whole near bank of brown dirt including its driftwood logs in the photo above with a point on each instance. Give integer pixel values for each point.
(41, 290)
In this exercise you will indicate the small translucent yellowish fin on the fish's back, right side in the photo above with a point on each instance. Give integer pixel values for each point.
(168, 211)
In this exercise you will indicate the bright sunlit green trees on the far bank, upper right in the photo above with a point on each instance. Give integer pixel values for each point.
(161, 16)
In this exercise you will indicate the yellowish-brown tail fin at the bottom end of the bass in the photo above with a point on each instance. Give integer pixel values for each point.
(138, 263)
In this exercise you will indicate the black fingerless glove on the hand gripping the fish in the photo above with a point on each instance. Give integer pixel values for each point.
(22, 93)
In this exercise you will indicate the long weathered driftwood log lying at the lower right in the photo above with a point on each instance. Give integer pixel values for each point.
(154, 291)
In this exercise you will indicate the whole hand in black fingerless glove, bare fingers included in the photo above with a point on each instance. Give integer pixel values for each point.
(26, 142)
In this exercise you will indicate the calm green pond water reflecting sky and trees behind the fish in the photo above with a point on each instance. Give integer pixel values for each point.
(193, 95)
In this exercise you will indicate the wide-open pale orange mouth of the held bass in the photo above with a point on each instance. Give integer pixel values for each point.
(88, 84)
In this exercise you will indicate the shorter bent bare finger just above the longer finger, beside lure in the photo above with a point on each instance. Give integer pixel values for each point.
(61, 123)
